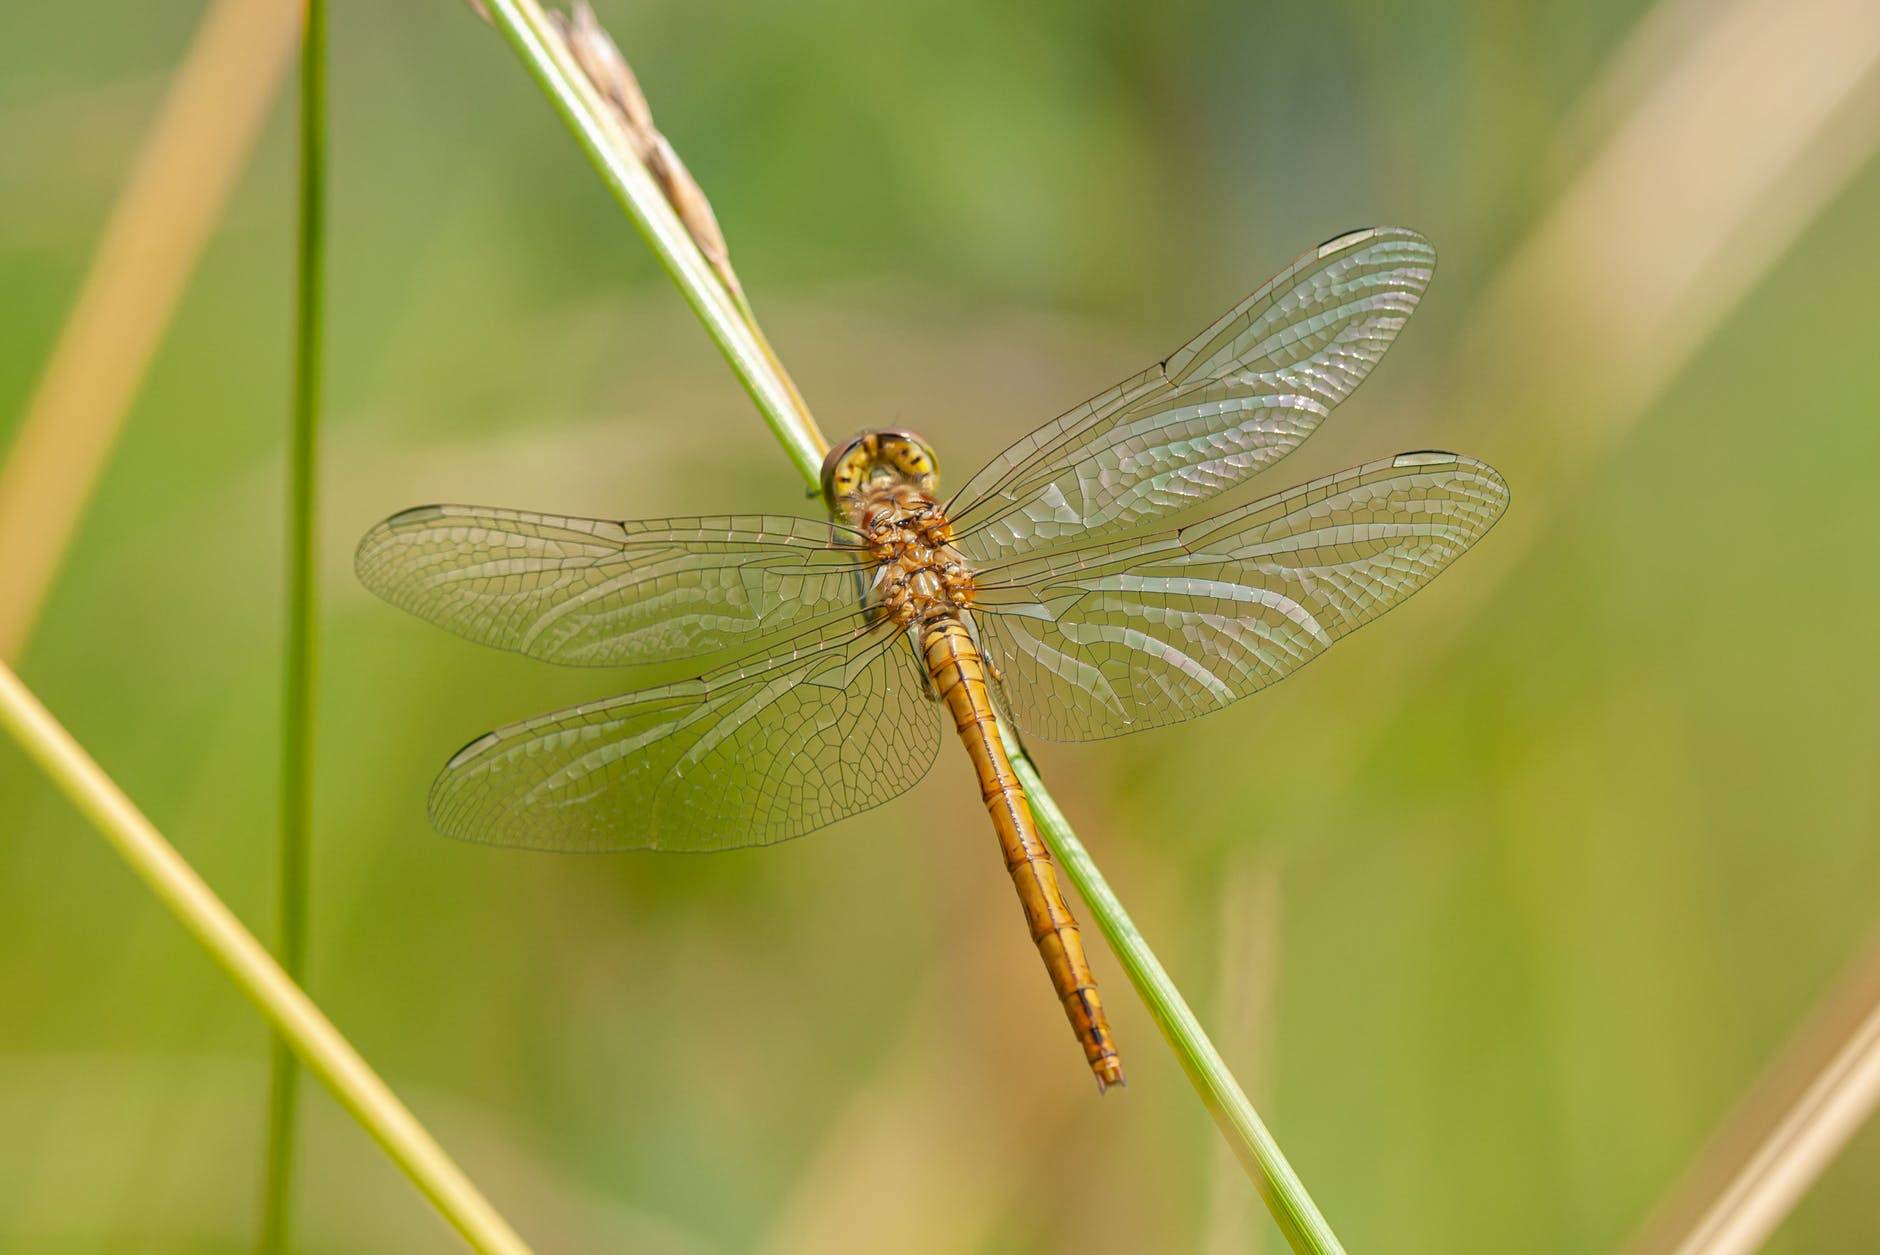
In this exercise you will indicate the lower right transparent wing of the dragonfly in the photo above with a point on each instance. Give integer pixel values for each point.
(1120, 638)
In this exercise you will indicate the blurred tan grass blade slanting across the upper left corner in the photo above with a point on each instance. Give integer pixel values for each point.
(144, 262)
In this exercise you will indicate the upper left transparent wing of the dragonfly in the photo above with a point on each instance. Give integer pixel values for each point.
(591, 593)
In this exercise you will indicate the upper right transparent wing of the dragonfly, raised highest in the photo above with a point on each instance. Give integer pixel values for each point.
(1234, 401)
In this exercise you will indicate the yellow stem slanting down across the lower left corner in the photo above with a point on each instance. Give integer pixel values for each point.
(294, 1015)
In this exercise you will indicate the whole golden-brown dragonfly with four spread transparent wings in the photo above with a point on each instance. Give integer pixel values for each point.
(1065, 591)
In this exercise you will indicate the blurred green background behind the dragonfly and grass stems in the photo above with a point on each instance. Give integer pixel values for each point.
(1499, 910)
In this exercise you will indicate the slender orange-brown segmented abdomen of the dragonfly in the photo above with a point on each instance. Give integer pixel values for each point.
(960, 681)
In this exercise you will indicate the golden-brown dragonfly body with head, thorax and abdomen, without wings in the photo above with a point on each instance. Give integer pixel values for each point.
(885, 484)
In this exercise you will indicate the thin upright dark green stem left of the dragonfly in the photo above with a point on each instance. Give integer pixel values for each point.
(300, 674)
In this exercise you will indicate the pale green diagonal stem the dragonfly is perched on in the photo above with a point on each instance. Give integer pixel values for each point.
(595, 127)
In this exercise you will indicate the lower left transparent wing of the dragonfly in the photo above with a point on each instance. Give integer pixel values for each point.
(747, 756)
